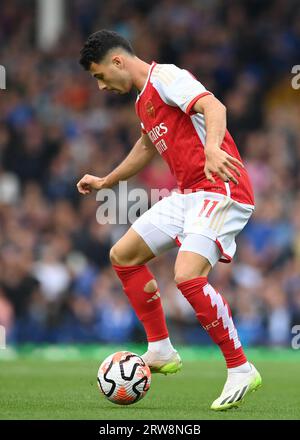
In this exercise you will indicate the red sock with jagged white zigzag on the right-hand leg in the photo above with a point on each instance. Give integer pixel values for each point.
(214, 315)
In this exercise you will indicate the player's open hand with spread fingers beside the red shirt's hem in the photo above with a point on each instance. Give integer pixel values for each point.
(222, 164)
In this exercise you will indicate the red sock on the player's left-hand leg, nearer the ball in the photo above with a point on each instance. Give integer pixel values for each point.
(147, 305)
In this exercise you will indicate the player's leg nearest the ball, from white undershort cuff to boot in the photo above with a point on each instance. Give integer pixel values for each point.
(128, 257)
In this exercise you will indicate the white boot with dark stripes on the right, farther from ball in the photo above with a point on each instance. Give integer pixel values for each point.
(237, 387)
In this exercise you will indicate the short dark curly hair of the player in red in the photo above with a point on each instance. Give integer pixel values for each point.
(98, 44)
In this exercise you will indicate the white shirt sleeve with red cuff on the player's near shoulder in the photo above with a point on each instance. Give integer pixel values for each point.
(177, 87)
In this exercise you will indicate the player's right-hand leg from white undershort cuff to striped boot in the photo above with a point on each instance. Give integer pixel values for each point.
(213, 313)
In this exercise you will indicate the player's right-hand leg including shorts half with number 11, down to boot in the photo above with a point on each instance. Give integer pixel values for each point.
(210, 234)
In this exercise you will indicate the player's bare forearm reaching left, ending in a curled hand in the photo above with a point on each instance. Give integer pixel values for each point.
(140, 155)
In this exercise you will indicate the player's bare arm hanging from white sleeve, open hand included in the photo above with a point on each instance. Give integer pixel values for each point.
(217, 160)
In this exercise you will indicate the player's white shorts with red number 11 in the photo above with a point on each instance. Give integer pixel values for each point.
(202, 222)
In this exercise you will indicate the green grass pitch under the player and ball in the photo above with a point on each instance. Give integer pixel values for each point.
(43, 386)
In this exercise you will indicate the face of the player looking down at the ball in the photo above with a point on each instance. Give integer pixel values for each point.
(112, 75)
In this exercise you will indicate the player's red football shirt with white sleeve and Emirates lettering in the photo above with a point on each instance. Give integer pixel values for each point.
(165, 109)
